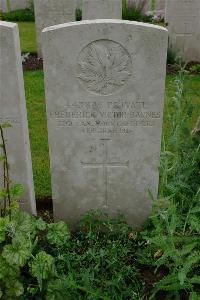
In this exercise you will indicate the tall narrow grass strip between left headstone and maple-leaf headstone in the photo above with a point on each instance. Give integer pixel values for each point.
(34, 86)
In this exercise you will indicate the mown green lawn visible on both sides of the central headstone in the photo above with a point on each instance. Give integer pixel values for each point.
(34, 87)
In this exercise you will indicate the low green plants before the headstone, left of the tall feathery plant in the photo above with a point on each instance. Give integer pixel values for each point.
(46, 261)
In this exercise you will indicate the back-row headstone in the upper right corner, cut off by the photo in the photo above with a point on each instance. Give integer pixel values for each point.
(183, 19)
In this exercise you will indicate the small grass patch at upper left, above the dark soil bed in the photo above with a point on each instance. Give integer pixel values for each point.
(28, 37)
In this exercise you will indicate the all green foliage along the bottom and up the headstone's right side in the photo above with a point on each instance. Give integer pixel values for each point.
(106, 259)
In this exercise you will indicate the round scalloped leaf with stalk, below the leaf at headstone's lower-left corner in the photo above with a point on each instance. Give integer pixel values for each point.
(42, 267)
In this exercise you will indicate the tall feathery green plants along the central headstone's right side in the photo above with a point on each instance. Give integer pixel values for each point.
(172, 237)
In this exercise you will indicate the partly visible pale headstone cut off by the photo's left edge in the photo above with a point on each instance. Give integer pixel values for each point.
(13, 111)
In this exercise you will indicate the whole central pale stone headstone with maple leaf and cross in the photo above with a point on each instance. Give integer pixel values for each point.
(105, 83)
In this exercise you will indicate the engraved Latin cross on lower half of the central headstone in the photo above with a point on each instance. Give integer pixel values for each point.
(105, 164)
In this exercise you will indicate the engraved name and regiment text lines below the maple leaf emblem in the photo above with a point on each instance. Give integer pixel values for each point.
(105, 118)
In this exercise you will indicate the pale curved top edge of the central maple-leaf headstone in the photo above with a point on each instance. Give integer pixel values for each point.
(104, 21)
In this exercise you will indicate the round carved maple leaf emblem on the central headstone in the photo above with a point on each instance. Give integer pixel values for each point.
(104, 66)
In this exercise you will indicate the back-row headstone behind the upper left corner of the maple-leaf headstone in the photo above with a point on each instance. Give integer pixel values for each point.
(52, 12)
